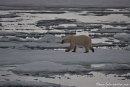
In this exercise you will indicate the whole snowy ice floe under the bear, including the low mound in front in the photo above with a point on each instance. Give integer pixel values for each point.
(51, 61)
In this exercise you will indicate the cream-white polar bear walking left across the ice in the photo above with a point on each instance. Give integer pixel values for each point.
(81, 40)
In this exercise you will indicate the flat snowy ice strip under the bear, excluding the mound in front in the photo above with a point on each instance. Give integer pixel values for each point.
(14, 56)
